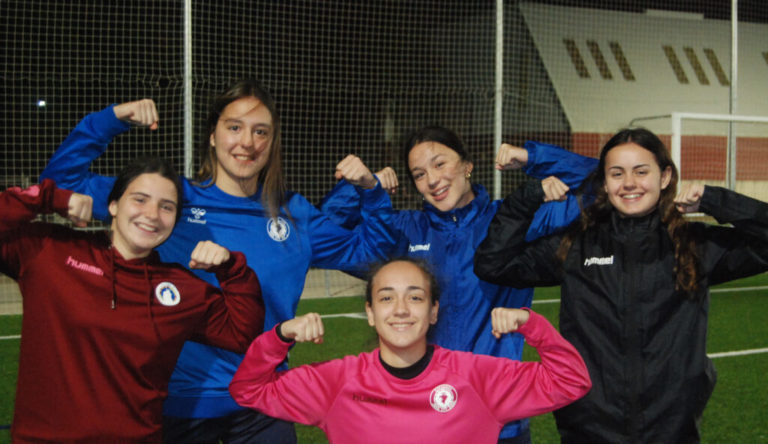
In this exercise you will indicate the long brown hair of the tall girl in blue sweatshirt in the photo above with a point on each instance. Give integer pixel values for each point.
(270, 178)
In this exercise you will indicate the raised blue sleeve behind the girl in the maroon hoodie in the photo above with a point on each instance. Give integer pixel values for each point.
(69, 166)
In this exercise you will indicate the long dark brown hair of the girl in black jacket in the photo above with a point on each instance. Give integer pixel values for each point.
(686, 259)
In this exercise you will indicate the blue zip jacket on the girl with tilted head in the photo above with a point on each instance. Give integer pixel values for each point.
(447, 241)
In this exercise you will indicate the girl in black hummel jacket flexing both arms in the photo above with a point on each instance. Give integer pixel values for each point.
(634, 278)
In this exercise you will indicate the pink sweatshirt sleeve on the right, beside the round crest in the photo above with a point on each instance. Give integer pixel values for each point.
(516, 390)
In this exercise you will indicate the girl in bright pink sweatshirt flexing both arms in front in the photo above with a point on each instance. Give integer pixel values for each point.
(407, 390)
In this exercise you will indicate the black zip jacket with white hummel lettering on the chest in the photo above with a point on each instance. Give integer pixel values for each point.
(644, 343)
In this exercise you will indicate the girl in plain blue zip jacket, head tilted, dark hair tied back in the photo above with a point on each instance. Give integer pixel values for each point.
(452, 223)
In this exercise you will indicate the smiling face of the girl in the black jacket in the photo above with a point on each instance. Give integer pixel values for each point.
(633, 179)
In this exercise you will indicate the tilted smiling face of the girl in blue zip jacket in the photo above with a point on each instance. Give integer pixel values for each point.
(440, 175)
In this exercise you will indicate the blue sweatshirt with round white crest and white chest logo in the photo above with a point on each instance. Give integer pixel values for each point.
(279, 251)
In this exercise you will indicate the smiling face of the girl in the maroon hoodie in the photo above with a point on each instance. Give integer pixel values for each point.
(144, 216)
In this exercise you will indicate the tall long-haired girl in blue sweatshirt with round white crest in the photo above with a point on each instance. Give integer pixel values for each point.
(239, 202)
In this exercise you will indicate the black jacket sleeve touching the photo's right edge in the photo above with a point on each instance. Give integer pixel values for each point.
(740, 251)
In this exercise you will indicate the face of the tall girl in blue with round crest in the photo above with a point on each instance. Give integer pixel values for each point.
(242, 140)
